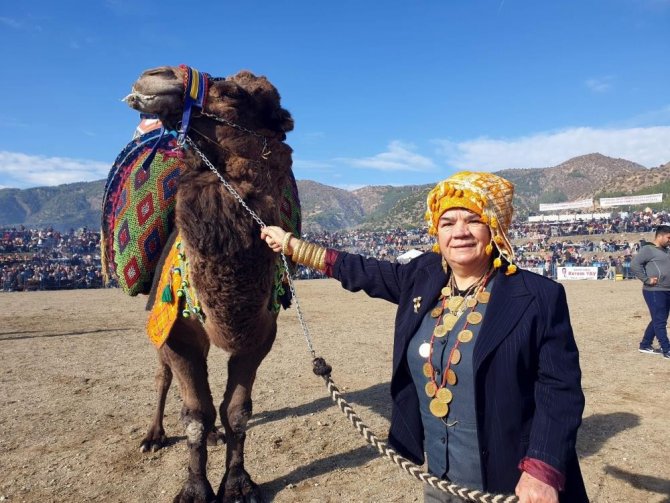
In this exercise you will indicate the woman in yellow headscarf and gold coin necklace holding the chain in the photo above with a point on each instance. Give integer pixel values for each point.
(486, 376)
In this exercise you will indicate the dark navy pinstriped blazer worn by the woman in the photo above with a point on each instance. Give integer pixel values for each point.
(528, 394)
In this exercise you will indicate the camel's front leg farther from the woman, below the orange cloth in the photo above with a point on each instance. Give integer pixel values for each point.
(186, 351)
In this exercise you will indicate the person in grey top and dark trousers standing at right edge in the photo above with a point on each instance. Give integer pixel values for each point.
(652, 266)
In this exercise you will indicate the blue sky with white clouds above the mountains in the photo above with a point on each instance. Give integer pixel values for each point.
(386, 92)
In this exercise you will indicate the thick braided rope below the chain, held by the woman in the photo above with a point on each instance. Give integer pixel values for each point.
(404, 463)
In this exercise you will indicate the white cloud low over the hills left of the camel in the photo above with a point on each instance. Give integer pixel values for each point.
(21, 170)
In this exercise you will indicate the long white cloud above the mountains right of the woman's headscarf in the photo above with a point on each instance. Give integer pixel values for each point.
(647, 146)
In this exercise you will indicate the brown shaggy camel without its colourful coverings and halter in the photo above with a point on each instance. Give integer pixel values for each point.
(241, 130)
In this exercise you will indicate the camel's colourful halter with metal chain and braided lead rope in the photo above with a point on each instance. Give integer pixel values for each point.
(197, 83)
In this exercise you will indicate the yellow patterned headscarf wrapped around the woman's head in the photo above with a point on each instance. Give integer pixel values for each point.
(485, 194)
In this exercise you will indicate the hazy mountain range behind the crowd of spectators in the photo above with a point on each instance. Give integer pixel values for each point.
(324, 207)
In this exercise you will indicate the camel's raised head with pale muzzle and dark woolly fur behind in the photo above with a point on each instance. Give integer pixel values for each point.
(244, 99)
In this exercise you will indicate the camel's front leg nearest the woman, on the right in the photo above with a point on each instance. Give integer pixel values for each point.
(235, 411)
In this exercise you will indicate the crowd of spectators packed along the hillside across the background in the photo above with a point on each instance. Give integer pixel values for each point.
(32, 259)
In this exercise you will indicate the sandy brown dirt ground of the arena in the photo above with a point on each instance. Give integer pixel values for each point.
(77, 395)
